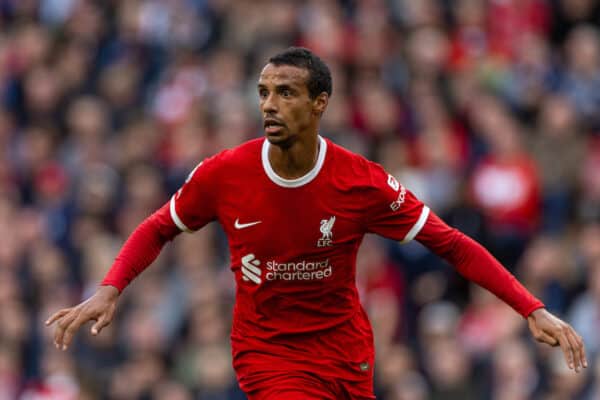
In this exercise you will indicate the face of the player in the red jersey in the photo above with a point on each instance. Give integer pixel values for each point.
(287, 109)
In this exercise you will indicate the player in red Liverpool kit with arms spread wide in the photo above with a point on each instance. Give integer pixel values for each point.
(295, 207)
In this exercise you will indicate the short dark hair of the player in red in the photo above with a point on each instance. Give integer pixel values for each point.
(319, 76)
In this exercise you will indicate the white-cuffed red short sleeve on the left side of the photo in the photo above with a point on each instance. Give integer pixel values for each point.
(194, 204)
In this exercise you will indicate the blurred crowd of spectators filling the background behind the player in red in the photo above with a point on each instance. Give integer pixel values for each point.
(489, 110)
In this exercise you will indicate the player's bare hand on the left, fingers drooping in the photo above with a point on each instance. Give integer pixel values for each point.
(100, 308)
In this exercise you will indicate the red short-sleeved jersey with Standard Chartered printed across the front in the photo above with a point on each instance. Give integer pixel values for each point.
(293, 245)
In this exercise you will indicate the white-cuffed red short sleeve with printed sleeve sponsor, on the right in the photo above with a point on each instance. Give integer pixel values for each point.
(393, 211)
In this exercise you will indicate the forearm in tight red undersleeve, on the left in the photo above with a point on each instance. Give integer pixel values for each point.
(141, 249)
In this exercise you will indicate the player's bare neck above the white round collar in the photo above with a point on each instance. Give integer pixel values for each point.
(296, 160)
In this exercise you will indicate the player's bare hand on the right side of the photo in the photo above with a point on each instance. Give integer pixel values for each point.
(546, 328)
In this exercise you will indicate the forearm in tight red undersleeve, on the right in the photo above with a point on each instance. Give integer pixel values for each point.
(476, 264)
